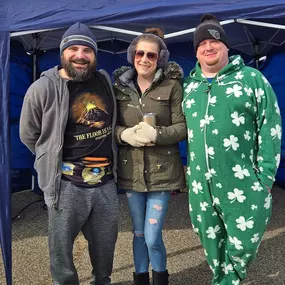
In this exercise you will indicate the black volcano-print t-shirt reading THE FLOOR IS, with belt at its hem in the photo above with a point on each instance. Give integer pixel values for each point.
(87, 149)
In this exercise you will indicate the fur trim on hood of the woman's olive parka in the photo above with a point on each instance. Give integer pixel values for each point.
(172, 71)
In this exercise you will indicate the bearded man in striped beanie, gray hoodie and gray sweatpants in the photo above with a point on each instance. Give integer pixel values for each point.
(67, 121)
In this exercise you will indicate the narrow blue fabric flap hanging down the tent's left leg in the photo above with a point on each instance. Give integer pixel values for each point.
(5, 170)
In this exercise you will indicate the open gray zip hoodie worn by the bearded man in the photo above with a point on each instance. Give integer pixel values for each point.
(42, 125)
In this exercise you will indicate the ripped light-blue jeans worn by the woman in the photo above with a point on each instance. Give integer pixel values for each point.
(148, 211)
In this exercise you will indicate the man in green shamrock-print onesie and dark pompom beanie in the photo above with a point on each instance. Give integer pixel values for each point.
(234, 137)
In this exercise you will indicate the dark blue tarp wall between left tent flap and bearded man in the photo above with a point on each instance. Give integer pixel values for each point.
(20, 79)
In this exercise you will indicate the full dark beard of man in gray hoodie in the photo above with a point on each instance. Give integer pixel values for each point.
(78, 75)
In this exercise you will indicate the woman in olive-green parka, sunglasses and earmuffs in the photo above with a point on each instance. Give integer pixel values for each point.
(149, 163)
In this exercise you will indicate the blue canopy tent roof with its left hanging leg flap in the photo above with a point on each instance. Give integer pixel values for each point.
(40, 24)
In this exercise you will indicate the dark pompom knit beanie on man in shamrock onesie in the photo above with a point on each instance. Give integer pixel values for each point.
(209, 28)
